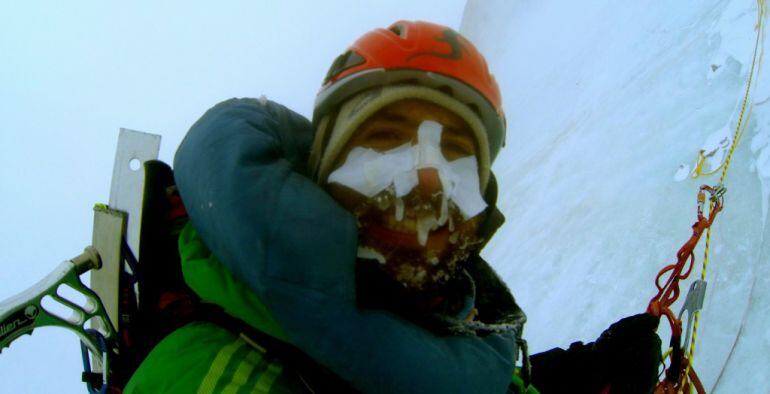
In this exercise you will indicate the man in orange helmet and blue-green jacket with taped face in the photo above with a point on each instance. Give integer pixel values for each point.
(345, 254)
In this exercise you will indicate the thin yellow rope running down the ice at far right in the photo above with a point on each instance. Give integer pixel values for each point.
(740, 127)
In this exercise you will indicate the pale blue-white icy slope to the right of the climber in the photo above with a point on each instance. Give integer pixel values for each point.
(608, 105)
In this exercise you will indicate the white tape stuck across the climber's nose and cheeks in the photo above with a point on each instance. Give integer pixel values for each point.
(370, 172)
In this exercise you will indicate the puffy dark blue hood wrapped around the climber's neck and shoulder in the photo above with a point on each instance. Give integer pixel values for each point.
(241, 173)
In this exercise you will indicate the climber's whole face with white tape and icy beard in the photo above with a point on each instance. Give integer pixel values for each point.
(393, 174)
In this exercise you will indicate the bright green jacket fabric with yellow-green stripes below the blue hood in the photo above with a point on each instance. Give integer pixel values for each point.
(202, 357)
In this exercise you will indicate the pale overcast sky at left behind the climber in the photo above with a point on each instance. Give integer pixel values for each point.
(73, 73)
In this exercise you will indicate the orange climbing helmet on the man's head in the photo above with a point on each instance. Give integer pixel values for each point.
(419, 53)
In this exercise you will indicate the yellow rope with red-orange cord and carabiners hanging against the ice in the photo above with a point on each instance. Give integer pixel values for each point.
(680, 375)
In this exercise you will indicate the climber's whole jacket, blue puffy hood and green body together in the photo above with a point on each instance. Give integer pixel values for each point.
(285, 258)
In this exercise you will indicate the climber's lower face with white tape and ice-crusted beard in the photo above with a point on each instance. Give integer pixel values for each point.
(418, 241)
